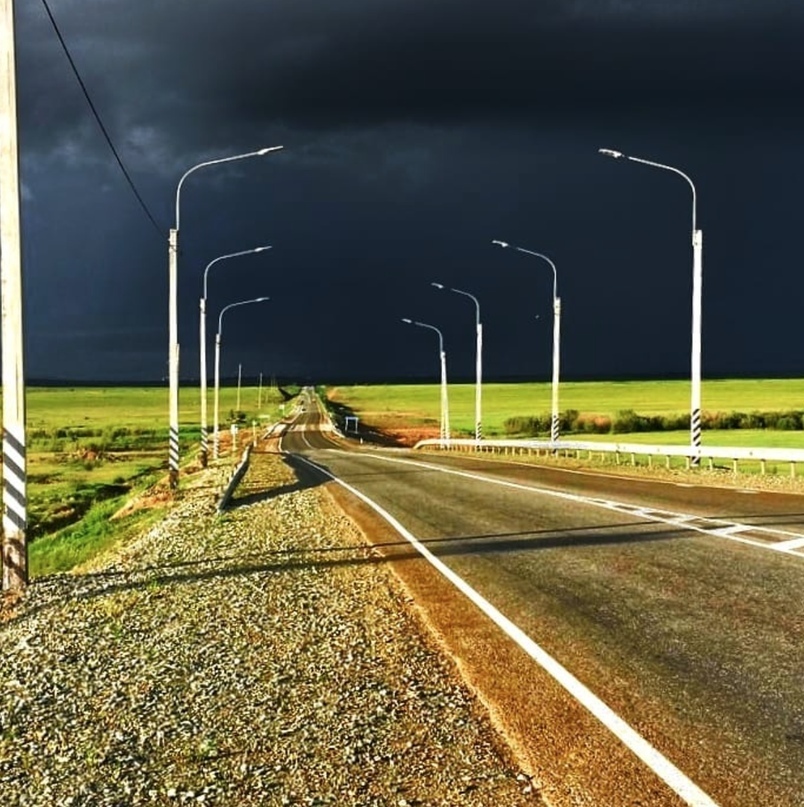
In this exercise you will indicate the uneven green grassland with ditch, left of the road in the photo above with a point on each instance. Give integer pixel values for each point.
(89, 449)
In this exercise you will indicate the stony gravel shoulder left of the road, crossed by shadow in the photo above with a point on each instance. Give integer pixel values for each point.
(265, 656)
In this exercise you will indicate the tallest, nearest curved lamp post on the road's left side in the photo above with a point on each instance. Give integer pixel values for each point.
(173, 317)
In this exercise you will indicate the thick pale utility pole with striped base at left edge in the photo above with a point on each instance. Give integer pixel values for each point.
(15, 548)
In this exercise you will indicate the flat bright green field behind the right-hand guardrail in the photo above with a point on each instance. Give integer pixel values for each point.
(419, 403)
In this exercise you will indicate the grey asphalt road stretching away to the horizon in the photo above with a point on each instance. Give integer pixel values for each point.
(672, 604)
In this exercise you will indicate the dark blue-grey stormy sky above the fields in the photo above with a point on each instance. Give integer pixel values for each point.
(415, 132)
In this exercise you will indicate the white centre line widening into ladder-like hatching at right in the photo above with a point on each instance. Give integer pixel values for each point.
(723, 529)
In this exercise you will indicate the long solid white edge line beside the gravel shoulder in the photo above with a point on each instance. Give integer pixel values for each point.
(655, 760)
